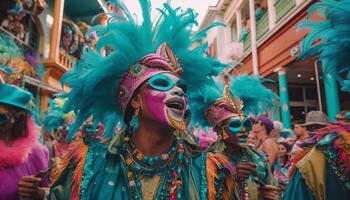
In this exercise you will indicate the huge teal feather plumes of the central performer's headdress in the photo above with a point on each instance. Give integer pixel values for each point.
(96, 79)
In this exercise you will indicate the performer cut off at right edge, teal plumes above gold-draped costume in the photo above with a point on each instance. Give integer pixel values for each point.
(322, 170)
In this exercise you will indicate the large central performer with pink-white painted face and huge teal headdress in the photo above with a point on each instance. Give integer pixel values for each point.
(141, 85)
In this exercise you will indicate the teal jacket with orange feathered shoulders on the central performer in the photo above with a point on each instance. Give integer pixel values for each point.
(98, 171)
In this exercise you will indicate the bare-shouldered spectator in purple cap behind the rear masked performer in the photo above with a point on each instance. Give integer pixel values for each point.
(262, 128)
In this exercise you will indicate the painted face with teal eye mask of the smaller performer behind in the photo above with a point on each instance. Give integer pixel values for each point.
(238, 127)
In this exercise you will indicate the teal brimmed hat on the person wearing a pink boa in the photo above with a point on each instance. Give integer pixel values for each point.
(15, 96)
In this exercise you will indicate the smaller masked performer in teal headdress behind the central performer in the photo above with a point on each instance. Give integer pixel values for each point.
(226, 110)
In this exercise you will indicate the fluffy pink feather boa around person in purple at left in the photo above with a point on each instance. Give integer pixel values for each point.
(19, 150)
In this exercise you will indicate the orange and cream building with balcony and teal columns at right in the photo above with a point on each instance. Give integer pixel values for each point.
(263, 36)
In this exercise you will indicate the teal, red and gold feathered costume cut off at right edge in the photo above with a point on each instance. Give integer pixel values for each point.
(322, 170)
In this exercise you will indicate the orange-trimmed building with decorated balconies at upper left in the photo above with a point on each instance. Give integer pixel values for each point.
(50, 34)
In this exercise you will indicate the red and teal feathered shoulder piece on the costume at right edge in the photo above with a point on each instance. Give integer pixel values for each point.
(334, 142)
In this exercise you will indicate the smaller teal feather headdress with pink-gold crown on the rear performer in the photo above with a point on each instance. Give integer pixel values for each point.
(245, 95)
